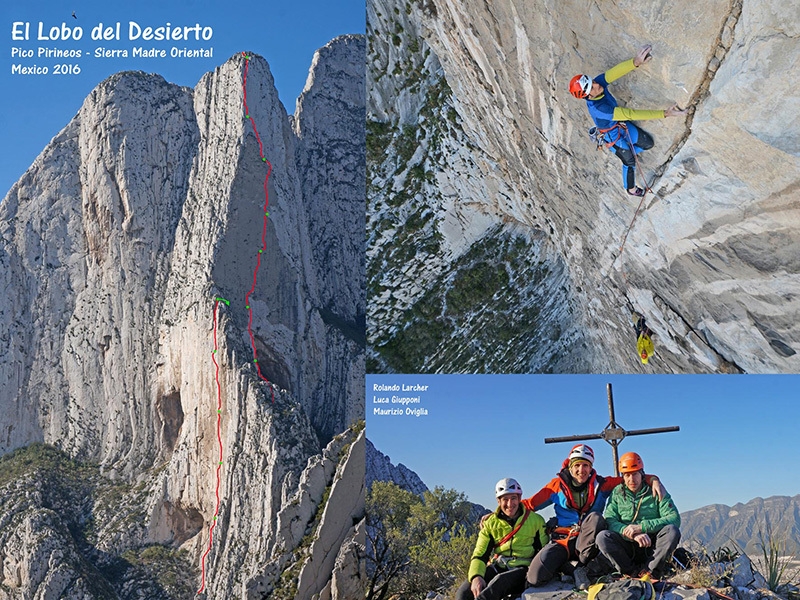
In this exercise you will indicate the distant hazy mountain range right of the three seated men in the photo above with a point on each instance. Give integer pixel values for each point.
(718, 525)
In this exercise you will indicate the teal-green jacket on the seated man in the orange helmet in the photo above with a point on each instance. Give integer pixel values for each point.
(624, 508)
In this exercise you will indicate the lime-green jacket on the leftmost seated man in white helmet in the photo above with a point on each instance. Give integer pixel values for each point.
(520, 549)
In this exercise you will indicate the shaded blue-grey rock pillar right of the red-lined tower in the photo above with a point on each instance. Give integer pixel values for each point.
(329, 125)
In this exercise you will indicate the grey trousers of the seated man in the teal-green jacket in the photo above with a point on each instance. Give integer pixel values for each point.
(628, 556)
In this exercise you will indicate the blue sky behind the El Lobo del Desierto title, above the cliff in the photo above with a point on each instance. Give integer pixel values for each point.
(36, 107)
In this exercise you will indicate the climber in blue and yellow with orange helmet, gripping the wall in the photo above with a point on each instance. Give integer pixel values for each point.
(626, 138)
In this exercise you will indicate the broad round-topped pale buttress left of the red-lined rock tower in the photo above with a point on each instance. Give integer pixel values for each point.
(86, 239)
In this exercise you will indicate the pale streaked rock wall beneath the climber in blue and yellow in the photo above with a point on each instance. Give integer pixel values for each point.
(711, 257)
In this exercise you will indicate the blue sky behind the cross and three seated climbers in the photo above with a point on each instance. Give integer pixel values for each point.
(736, 440)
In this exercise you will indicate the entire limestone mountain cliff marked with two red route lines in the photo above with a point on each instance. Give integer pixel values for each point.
(127, 256)
